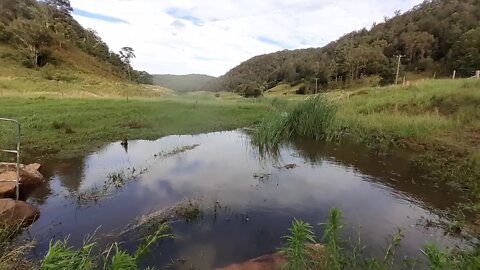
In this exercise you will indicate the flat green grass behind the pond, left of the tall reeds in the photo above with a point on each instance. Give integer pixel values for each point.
(69, 127)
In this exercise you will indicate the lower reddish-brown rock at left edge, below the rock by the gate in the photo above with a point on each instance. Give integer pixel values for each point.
(17, 213)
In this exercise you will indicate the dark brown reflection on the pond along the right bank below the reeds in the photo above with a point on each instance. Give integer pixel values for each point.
(394, 170)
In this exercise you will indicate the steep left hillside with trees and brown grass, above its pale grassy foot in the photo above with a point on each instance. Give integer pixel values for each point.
(44, 33)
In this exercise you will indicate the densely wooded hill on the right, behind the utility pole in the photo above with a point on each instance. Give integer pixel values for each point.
(435, 37)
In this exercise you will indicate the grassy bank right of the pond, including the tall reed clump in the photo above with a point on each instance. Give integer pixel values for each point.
(439, 120)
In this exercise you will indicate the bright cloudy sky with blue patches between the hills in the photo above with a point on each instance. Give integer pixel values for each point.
(213, 36)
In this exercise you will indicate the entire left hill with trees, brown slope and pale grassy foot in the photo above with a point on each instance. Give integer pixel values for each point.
(42, 48)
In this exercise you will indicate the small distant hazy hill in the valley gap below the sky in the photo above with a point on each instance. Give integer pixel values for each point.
(182, 83)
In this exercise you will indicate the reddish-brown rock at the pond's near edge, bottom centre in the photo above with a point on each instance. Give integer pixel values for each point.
(266, 262)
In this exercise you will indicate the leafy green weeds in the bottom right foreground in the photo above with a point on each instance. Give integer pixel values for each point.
(338, 253)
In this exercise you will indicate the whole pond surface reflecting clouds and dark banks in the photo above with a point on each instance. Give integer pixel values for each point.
(248, 200)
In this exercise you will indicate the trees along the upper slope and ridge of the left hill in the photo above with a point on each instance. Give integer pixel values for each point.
(36, 28)
